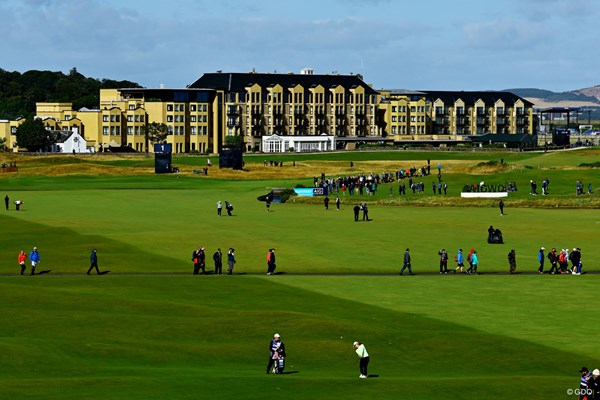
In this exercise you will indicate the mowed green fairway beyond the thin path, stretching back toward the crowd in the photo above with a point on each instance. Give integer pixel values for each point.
(140, 226)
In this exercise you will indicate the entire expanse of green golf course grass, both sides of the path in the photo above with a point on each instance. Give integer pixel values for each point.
(151, 330)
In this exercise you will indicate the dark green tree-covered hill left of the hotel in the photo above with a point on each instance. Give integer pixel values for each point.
(20, 91)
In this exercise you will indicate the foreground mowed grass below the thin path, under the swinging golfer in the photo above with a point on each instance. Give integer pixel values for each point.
(124, 337)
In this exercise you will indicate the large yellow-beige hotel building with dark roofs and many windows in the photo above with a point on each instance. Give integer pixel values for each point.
(284, 112)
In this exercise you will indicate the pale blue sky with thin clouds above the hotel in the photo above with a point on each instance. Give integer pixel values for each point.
(393, 44)
